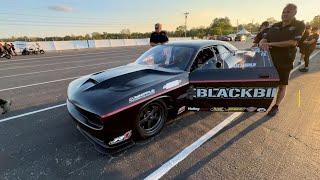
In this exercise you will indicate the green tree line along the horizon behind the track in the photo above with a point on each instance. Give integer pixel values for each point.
(219, 26)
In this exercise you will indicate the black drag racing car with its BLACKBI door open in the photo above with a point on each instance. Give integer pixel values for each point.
(113, 107)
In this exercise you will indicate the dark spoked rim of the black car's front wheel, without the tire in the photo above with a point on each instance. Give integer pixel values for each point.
(150, 117)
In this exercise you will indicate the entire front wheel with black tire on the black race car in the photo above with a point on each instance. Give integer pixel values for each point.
(151, 118)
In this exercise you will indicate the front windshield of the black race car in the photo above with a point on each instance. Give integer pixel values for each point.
(171, 57)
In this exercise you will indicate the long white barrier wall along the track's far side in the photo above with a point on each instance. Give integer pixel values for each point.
(82, 44)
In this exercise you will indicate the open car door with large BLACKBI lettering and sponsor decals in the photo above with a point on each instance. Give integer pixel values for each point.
(233, 81)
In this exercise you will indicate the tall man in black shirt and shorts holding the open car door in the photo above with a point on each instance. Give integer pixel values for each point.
(282, 39)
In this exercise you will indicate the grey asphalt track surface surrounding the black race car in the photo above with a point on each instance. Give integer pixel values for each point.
(46, 145)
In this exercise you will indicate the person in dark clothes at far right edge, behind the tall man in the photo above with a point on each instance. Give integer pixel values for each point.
(310, 44)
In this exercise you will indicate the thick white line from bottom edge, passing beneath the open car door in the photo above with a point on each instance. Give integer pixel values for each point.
(157, 174)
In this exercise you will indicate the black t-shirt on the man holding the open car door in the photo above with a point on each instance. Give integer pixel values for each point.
(283, 57)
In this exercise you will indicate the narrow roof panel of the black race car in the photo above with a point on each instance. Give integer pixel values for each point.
(199, 44)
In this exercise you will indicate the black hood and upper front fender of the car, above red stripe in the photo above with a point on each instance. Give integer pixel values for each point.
(107, 91)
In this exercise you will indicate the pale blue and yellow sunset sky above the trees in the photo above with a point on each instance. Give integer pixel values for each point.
(41, 18)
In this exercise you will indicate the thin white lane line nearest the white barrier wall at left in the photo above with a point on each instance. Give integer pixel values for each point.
(70, 55)
